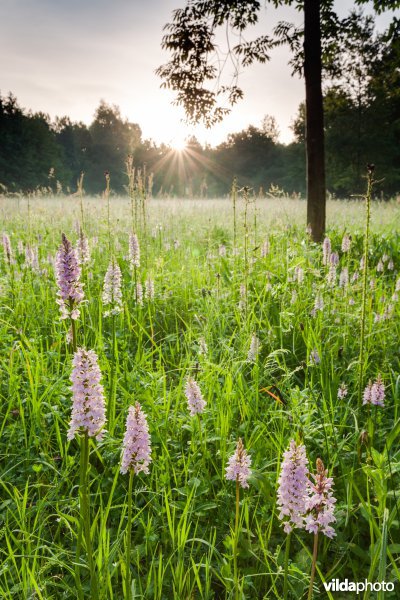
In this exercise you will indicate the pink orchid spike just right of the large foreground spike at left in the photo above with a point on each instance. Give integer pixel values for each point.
(136, 450)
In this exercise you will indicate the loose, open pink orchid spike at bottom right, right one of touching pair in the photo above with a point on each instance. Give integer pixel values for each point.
(320, 504)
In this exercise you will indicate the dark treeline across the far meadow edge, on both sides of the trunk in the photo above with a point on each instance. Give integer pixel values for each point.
(362, 124)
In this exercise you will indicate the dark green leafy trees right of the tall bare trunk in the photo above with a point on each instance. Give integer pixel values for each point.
(361, 110)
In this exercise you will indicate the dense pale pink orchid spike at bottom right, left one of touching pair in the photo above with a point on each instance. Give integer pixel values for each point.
(292, 487)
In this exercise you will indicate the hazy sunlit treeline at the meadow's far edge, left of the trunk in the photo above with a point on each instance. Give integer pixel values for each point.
(36, 153)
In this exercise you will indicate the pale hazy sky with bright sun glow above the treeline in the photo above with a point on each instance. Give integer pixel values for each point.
(63, 56)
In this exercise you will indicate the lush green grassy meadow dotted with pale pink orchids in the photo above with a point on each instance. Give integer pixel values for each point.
(282, 337)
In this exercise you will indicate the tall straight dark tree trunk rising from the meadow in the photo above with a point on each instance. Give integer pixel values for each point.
(316, 196)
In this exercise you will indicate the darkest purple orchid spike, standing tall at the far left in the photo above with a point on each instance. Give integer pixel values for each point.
(68, 272)
